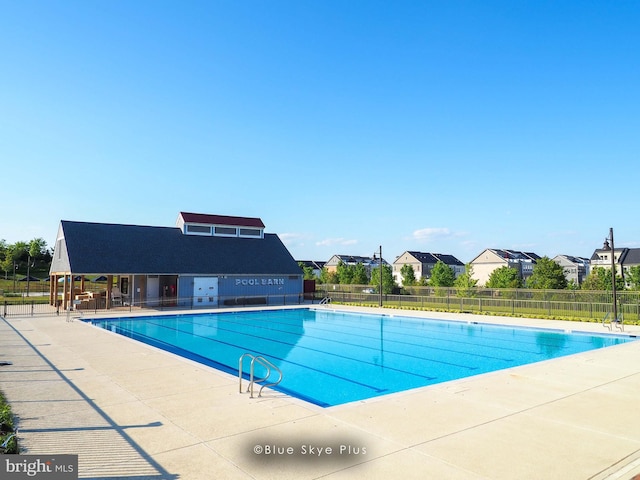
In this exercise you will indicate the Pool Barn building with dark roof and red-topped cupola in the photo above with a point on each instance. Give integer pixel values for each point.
(205, 260)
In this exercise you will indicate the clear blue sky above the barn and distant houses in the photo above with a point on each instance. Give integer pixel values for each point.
(438, 126)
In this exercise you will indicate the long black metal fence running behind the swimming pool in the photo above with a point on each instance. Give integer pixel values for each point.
(583, 305)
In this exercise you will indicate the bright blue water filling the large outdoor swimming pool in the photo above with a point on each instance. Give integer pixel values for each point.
(330, 358)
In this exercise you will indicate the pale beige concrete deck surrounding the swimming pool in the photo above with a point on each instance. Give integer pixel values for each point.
(131, 411)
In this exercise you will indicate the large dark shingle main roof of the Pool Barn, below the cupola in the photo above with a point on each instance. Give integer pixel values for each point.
(130, 249)
